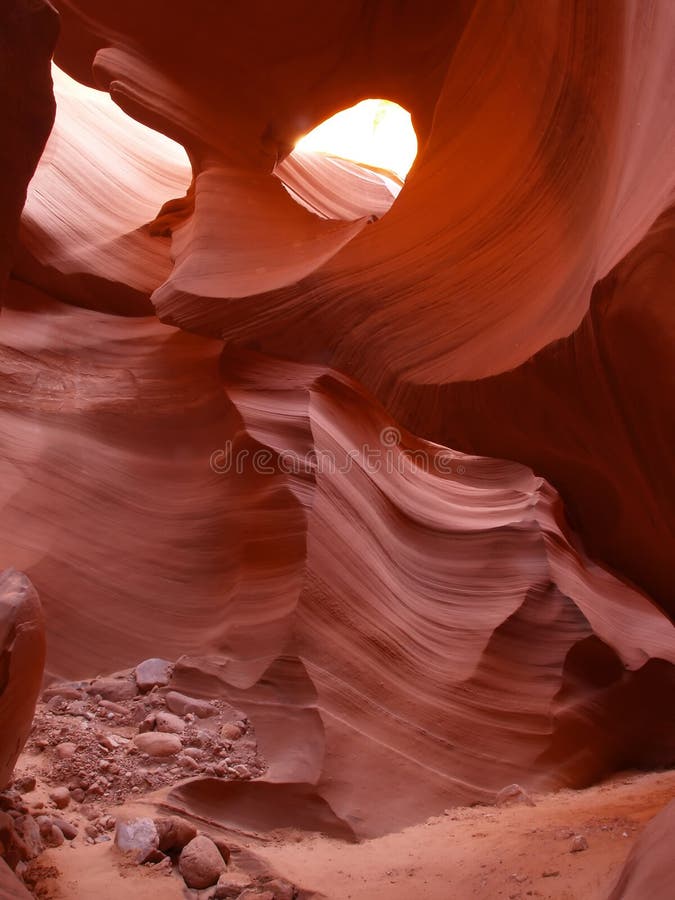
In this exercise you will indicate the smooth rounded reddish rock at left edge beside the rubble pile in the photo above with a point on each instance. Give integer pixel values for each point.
(22, 656)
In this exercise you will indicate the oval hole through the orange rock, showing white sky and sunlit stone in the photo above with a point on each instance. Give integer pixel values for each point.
(354, 163)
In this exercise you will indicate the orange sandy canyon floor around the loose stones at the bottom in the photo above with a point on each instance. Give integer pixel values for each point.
(480, 852)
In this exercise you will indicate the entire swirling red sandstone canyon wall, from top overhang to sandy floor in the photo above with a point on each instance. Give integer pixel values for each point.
(407, 625)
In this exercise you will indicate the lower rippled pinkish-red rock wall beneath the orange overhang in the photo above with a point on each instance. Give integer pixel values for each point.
(419, 611)
